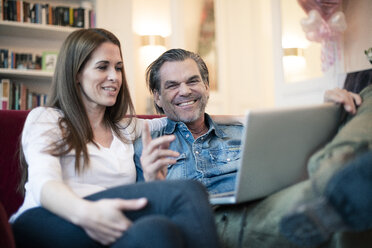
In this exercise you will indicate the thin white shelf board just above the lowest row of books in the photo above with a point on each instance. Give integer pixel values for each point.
(26, 74)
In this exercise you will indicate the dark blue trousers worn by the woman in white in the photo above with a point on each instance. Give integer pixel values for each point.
(177, 215)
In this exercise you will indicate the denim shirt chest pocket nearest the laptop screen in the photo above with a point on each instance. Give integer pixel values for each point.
(224, 160)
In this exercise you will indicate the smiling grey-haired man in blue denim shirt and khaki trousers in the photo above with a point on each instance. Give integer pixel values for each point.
(179, 82)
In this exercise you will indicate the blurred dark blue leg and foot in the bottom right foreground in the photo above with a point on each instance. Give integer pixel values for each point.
(345, 205)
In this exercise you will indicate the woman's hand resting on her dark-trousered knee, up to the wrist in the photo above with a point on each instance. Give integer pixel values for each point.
(104, 220)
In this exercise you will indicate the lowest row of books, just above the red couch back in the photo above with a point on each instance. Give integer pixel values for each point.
(17, 96)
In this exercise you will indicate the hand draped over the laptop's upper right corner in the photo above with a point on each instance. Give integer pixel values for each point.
(348, 99)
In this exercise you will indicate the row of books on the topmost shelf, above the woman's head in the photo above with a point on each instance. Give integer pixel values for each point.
(44, 13)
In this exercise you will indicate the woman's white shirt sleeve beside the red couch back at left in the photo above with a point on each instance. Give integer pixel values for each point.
(40, 131)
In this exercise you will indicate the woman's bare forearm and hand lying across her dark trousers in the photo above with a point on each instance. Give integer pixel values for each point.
(102, 220)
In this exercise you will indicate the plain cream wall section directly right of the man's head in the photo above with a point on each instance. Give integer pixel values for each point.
(244, 36)
